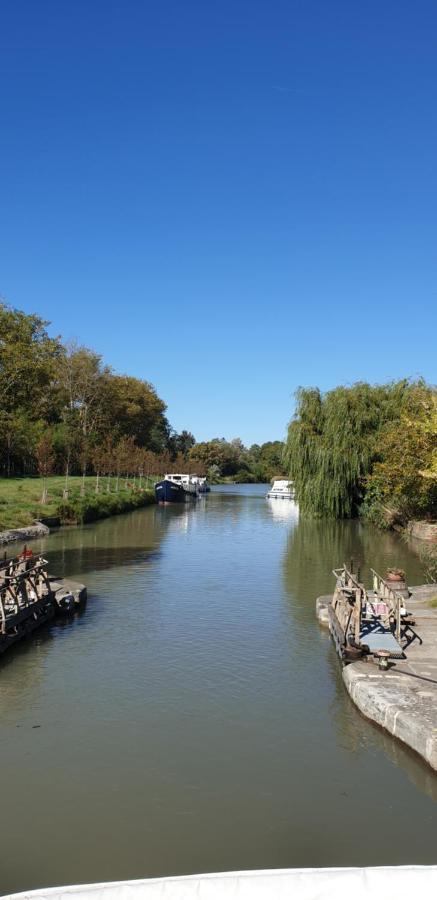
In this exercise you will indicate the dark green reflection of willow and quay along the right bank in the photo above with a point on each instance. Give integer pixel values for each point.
(313, 549)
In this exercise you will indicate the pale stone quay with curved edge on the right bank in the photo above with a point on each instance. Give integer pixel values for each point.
(403, 699)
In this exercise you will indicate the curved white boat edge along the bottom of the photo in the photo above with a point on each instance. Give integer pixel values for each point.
(391, 883)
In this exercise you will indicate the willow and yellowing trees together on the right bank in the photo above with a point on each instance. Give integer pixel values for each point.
(367, 450)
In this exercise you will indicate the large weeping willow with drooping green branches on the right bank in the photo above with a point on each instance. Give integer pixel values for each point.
(332, 444)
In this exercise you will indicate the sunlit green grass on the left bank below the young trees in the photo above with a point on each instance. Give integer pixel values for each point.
(20, 499)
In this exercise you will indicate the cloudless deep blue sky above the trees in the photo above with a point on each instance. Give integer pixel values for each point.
(229, 199)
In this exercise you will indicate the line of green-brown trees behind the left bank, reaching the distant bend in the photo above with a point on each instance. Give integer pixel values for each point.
(64, 411)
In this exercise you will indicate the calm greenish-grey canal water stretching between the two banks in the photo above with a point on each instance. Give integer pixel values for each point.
(192, 718)
